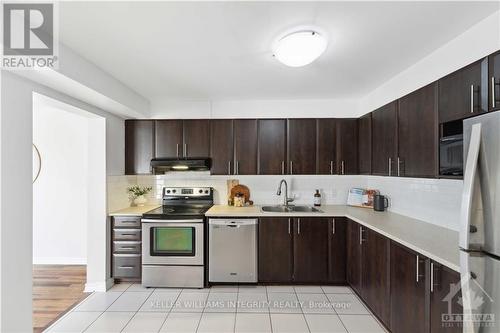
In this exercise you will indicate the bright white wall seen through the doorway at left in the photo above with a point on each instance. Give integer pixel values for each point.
(60, 192)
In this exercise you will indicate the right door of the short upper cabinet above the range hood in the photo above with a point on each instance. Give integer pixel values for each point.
(196, 138)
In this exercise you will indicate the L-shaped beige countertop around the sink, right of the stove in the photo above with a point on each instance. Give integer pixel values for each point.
(438, 243)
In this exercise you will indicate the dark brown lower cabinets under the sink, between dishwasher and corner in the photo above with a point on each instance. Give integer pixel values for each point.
(300, 250)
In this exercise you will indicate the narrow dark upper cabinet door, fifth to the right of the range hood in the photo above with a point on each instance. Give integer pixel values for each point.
(327, 146)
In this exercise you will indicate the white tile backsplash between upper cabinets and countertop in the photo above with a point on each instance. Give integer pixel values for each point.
(435, 201)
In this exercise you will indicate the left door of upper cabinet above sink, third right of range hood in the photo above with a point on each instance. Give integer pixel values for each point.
(272, 146)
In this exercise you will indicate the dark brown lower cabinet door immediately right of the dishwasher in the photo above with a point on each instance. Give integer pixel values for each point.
(275, 249)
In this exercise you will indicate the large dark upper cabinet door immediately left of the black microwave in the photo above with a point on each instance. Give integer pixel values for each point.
(418, 133)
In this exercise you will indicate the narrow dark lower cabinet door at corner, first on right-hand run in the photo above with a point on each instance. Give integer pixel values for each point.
(354, 256)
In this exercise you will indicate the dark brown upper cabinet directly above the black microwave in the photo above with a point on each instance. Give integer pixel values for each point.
(464, 93)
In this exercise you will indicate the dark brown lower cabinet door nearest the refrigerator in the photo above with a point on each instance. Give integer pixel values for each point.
(443, 299)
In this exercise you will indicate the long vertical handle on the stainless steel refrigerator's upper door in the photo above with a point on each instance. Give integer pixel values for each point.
(469, 179)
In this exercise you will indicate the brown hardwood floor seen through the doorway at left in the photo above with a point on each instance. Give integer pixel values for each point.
(56, 289)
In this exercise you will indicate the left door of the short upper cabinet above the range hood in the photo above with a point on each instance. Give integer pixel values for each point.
(168, 135)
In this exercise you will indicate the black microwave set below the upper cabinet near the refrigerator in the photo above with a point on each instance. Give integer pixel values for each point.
(451, 155)
